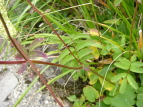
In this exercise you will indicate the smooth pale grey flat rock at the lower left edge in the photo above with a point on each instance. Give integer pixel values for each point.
(8, 82)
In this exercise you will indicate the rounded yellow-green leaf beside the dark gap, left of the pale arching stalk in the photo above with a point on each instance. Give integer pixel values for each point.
(90, 93)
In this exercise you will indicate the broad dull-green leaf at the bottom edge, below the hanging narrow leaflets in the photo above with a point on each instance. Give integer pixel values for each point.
(124, 100)
